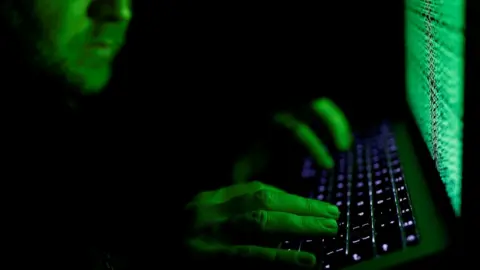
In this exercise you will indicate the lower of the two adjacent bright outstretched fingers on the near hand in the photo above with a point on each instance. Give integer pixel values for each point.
(270, 223)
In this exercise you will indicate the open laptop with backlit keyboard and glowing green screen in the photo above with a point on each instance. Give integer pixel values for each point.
(399, 187)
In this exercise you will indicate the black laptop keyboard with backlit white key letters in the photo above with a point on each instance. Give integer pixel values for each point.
(367, 184)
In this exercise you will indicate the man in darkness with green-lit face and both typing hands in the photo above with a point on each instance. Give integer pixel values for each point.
(66, 48)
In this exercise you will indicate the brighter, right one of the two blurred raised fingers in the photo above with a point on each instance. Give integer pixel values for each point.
(336, 122)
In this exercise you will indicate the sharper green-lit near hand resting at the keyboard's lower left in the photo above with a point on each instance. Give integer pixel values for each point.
(238, 222)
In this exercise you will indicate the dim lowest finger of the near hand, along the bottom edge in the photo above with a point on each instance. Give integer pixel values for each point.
(272, 255)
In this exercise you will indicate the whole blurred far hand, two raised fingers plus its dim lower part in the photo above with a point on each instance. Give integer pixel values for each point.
(323, 110)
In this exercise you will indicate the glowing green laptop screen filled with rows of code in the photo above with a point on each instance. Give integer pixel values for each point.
(435, 43)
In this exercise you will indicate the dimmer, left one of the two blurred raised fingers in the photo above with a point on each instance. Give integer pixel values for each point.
(307, 137)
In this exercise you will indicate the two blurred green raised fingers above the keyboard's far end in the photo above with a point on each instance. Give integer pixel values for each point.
(335, 121)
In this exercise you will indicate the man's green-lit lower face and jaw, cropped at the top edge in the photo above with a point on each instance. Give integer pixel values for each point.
(72, 40)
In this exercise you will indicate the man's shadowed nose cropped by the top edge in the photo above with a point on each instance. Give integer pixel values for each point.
(112, 10)
